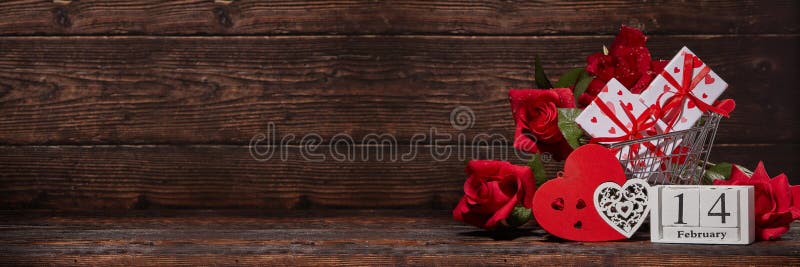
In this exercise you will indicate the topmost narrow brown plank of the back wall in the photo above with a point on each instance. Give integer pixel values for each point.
(393, 17)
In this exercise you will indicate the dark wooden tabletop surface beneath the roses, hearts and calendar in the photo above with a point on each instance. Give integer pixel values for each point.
(359, 237)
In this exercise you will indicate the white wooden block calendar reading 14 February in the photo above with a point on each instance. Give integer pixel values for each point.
(702, 214)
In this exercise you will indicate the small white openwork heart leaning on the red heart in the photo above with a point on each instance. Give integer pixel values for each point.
(623, 208)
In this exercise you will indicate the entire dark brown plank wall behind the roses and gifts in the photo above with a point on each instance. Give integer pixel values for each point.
(122, 105)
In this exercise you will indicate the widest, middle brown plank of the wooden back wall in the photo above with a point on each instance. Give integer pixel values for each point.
(225, 90)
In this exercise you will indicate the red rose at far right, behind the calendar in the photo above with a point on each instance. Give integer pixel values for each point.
(777, 203)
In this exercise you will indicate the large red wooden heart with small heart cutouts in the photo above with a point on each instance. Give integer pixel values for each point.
(564, 207)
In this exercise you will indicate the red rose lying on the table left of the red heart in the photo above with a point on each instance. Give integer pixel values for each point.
(491, 192)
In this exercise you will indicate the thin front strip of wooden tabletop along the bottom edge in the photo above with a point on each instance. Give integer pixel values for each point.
(387, 259)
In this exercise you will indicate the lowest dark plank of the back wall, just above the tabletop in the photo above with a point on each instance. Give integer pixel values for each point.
(147, 177)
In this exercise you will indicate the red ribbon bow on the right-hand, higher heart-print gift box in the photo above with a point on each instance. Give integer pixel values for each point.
(673, 106)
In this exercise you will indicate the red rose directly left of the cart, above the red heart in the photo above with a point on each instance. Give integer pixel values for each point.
(536, 117)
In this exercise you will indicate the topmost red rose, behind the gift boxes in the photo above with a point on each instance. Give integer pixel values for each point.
(628, 61)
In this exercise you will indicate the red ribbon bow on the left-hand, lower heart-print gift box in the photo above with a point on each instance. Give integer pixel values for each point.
(643, 123)
